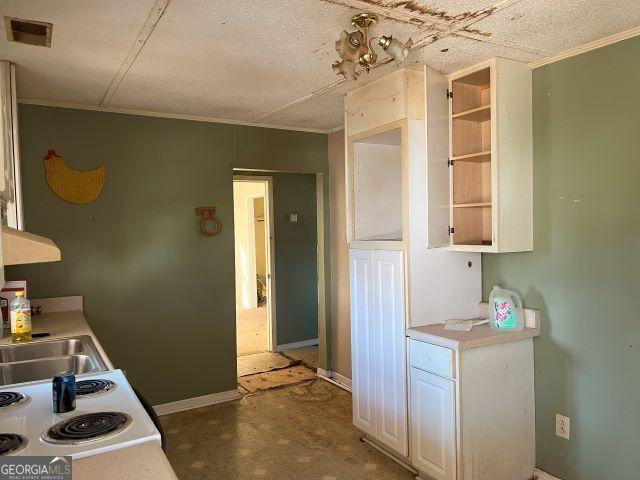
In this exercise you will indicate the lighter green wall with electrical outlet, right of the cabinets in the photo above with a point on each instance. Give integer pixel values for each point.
(583, 272)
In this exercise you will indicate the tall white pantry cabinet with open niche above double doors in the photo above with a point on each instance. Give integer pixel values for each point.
(396, 282)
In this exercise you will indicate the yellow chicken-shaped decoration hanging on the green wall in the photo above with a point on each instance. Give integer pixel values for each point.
(73, 186)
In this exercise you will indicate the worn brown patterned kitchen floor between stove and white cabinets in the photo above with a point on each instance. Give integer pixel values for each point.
(297, 432)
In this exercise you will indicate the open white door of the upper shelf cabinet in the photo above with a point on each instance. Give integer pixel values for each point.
(437, 135)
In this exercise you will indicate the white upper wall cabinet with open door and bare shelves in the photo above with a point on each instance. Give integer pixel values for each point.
(489, 166)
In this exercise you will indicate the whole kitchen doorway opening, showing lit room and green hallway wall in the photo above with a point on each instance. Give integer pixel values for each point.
(290, 354)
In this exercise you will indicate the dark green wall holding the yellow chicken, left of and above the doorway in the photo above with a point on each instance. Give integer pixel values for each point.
(159, 296)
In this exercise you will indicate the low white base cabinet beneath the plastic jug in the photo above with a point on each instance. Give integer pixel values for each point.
(472, 411)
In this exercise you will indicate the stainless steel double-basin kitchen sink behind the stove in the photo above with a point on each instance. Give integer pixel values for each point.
(46, 359)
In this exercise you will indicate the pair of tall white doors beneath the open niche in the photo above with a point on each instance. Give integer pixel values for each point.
(379, 381)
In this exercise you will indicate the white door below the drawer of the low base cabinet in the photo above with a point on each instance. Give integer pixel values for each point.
(433, 424)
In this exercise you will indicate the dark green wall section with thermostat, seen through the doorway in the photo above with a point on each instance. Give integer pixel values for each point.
(296, 273)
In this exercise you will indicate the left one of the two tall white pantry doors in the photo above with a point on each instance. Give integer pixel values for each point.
(362, 341)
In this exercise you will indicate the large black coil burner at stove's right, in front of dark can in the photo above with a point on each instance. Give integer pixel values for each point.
(83, 428)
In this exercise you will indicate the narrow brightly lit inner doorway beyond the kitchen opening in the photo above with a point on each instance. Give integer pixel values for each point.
(253, 234)
